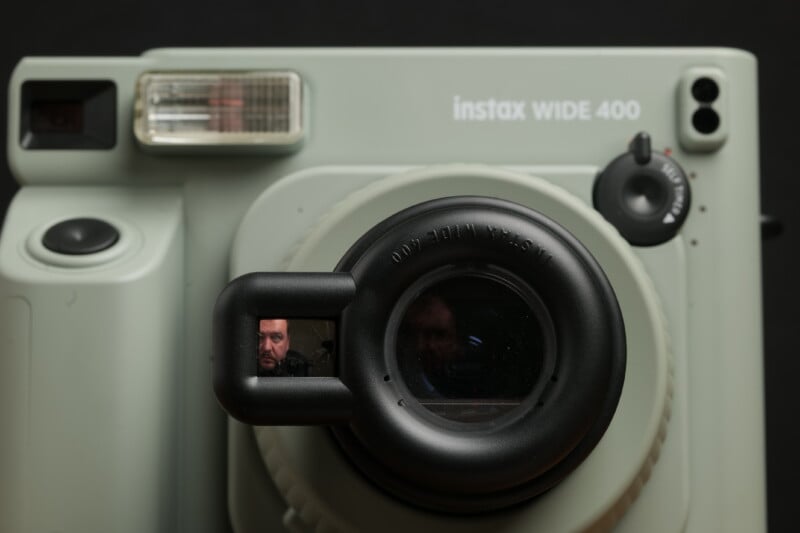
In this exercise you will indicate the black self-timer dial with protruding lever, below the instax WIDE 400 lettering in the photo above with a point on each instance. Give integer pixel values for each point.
(644, 194)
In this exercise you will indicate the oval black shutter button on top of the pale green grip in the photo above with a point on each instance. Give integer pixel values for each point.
(80, 236)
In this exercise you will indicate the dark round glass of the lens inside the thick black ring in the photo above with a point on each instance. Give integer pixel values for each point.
(471, 348)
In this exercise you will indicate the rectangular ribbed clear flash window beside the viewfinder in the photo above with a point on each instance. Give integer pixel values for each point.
(228, 110)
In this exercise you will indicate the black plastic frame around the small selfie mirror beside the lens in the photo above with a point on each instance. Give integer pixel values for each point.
(276, 400)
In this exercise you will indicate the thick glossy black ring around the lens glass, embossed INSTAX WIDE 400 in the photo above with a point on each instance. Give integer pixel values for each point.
(446, 468)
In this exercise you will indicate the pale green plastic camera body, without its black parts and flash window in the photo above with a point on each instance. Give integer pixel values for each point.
(108, 414)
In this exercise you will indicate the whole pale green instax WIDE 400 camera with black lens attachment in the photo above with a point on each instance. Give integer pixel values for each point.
(436, 290)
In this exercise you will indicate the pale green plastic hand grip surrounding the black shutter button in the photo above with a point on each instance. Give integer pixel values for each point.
(89, 366)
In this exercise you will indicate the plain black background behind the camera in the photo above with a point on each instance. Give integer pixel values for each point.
(768, 28)
